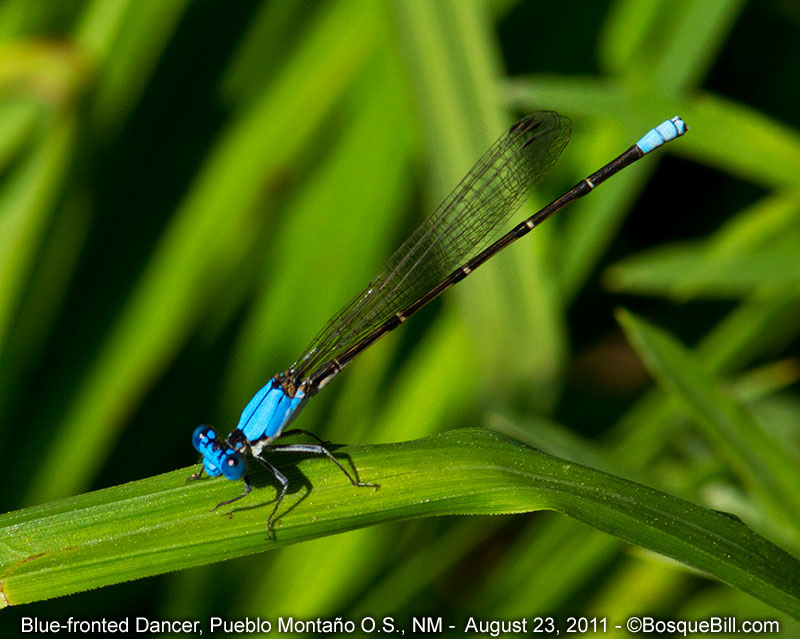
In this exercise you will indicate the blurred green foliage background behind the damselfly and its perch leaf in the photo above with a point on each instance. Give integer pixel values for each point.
(191, 189)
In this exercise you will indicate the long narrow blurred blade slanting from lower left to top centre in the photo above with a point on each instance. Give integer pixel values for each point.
(204, 243)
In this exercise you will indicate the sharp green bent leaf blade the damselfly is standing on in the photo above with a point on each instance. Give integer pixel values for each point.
(161, 524)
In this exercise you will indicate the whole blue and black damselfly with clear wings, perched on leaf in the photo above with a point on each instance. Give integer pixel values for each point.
(448, 246)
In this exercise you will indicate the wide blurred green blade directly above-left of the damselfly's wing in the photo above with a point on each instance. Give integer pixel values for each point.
(354, 204)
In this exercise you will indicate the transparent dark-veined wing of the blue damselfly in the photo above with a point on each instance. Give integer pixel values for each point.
(462, 225)
